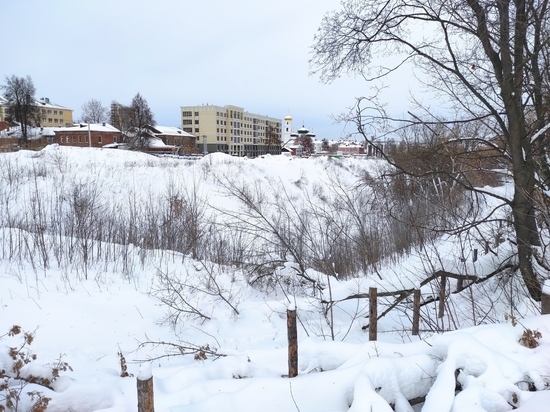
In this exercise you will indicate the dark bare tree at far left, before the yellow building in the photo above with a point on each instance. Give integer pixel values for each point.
(21, 103)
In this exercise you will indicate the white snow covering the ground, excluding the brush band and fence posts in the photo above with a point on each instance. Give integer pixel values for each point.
(88, 322)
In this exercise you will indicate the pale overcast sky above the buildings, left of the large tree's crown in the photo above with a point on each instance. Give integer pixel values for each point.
(249, 53)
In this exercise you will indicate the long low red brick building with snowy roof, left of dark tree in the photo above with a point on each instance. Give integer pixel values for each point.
(88, 135)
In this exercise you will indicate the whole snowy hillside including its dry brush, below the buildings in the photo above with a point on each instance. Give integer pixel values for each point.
(187, 269)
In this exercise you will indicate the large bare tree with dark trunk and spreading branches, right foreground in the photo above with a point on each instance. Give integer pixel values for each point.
(487, 60)
